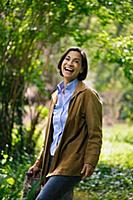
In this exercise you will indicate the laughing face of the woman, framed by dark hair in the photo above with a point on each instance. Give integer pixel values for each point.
(71, 66)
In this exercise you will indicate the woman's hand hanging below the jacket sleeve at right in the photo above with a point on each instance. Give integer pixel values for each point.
(87, 170)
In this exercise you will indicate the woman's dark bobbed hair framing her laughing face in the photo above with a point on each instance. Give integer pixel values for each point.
(82, 75)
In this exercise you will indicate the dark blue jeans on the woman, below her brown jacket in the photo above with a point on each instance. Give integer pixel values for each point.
(58, 188)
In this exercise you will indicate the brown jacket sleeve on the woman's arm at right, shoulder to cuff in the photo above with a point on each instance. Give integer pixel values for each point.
(93, 113)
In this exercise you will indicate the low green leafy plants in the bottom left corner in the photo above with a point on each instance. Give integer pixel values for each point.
(12, 176)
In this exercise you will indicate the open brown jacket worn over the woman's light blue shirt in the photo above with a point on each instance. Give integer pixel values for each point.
(82, 137)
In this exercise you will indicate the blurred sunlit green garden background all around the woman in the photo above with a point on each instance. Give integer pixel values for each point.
(33, 36)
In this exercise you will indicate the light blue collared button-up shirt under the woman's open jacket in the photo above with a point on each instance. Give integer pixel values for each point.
(60, 112)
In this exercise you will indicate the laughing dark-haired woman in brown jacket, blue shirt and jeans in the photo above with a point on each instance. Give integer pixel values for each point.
(74, 130)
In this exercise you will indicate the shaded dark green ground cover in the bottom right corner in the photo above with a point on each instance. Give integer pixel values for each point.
(108, 182)
